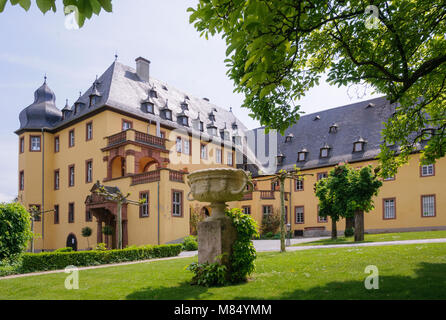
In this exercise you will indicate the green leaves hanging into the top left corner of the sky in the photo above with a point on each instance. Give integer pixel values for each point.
(83, 9)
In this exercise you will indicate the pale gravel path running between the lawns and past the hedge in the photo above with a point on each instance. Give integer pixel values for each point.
(260, 245)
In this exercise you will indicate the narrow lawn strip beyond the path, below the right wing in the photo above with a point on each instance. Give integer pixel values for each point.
(380, 237)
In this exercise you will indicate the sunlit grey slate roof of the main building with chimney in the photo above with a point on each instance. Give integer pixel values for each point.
(120, 87)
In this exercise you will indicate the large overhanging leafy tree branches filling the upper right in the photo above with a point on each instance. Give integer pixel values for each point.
(278, 50)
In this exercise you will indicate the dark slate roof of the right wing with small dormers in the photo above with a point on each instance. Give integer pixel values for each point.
(354, 122)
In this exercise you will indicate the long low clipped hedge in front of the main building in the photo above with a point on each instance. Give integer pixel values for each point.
(32, 262)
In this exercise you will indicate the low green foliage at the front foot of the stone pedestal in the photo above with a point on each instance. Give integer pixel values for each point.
(208, 274)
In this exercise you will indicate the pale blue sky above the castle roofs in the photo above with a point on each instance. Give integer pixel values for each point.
(34, 44)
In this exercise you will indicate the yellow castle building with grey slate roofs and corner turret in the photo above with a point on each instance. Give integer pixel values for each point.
(132, 133)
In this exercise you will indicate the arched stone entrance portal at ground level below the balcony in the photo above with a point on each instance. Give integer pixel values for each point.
(106, 214)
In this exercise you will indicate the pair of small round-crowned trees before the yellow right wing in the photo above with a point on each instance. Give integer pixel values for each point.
(347, 192)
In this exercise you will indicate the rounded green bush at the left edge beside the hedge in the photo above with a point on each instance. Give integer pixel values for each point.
(15, 225)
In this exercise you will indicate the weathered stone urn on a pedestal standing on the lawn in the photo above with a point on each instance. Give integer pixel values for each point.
(216, 234)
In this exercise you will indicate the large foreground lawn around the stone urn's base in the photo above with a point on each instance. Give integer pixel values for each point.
(416, 271)
